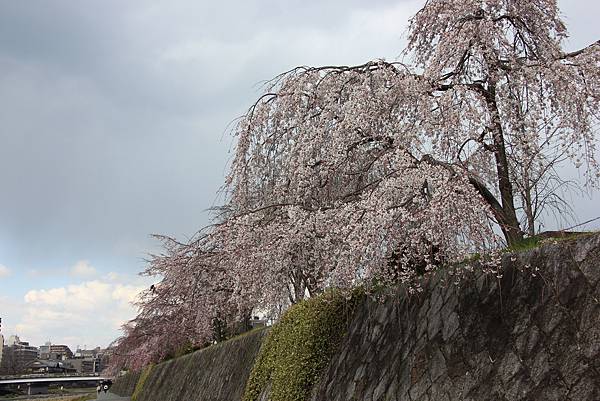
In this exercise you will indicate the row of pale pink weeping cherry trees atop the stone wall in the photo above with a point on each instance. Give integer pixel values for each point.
(383, 171)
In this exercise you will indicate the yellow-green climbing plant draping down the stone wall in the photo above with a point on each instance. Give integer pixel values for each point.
(300, 345)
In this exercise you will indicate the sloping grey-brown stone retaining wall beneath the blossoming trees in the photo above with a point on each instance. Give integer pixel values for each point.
(521, 337)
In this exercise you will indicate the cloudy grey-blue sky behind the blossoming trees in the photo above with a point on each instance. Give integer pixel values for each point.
(114, 125)
